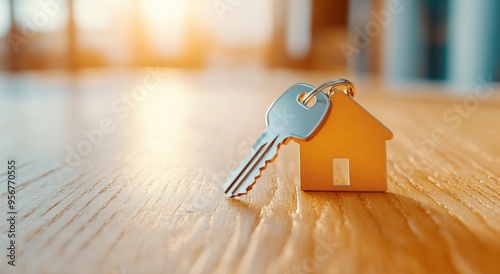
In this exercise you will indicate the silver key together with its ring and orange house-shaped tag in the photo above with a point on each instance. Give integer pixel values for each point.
(342, 146)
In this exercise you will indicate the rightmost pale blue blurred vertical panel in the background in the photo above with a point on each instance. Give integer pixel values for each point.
(474, 43)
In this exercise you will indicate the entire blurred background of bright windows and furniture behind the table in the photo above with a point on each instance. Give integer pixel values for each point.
(453, 41)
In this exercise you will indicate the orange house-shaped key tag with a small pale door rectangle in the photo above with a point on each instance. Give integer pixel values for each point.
(348, 153)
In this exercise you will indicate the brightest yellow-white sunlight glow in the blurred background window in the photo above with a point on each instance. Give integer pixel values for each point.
(166, 21)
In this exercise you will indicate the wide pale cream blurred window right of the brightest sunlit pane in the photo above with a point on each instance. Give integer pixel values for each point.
(235, 33)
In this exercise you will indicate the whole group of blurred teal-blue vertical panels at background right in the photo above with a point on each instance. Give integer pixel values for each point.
(453, 41)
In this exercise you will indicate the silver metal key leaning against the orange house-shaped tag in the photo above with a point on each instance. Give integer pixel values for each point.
(286, 118)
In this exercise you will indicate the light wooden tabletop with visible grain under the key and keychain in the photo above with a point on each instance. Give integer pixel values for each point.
(147, 198)
